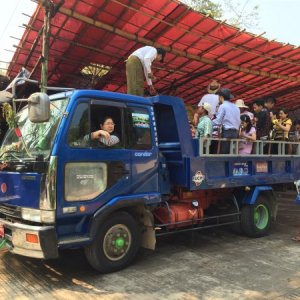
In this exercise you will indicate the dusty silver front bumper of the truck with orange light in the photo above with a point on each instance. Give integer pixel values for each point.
(15, 234)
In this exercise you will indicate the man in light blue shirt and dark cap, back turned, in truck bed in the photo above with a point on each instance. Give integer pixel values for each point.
(228, 116)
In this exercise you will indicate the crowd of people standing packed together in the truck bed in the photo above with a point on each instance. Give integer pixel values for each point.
(217, 116)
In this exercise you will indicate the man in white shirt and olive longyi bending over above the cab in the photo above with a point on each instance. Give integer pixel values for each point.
(138, 65)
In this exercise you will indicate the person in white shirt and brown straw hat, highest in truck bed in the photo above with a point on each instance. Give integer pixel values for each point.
(210, 98)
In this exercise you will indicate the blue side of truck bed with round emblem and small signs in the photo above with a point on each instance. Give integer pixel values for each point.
(210, 171)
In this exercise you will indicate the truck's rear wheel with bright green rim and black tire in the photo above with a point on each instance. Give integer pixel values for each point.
(256, 219)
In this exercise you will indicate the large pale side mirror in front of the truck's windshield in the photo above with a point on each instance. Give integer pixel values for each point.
(39, 108)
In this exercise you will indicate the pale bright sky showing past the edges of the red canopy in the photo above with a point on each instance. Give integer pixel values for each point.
(278, 18)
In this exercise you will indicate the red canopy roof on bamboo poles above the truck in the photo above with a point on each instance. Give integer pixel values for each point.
(101, 32)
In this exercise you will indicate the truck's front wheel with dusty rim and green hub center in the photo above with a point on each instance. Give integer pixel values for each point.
(115, 244)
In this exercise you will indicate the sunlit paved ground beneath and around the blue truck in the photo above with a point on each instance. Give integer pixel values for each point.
(212, 264)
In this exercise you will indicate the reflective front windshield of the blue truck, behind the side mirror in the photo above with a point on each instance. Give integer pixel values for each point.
(32, 140)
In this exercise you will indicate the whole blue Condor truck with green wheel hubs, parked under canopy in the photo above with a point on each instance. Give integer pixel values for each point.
(60, 189)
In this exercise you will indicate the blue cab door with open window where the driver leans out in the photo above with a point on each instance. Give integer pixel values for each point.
(90, 172)
